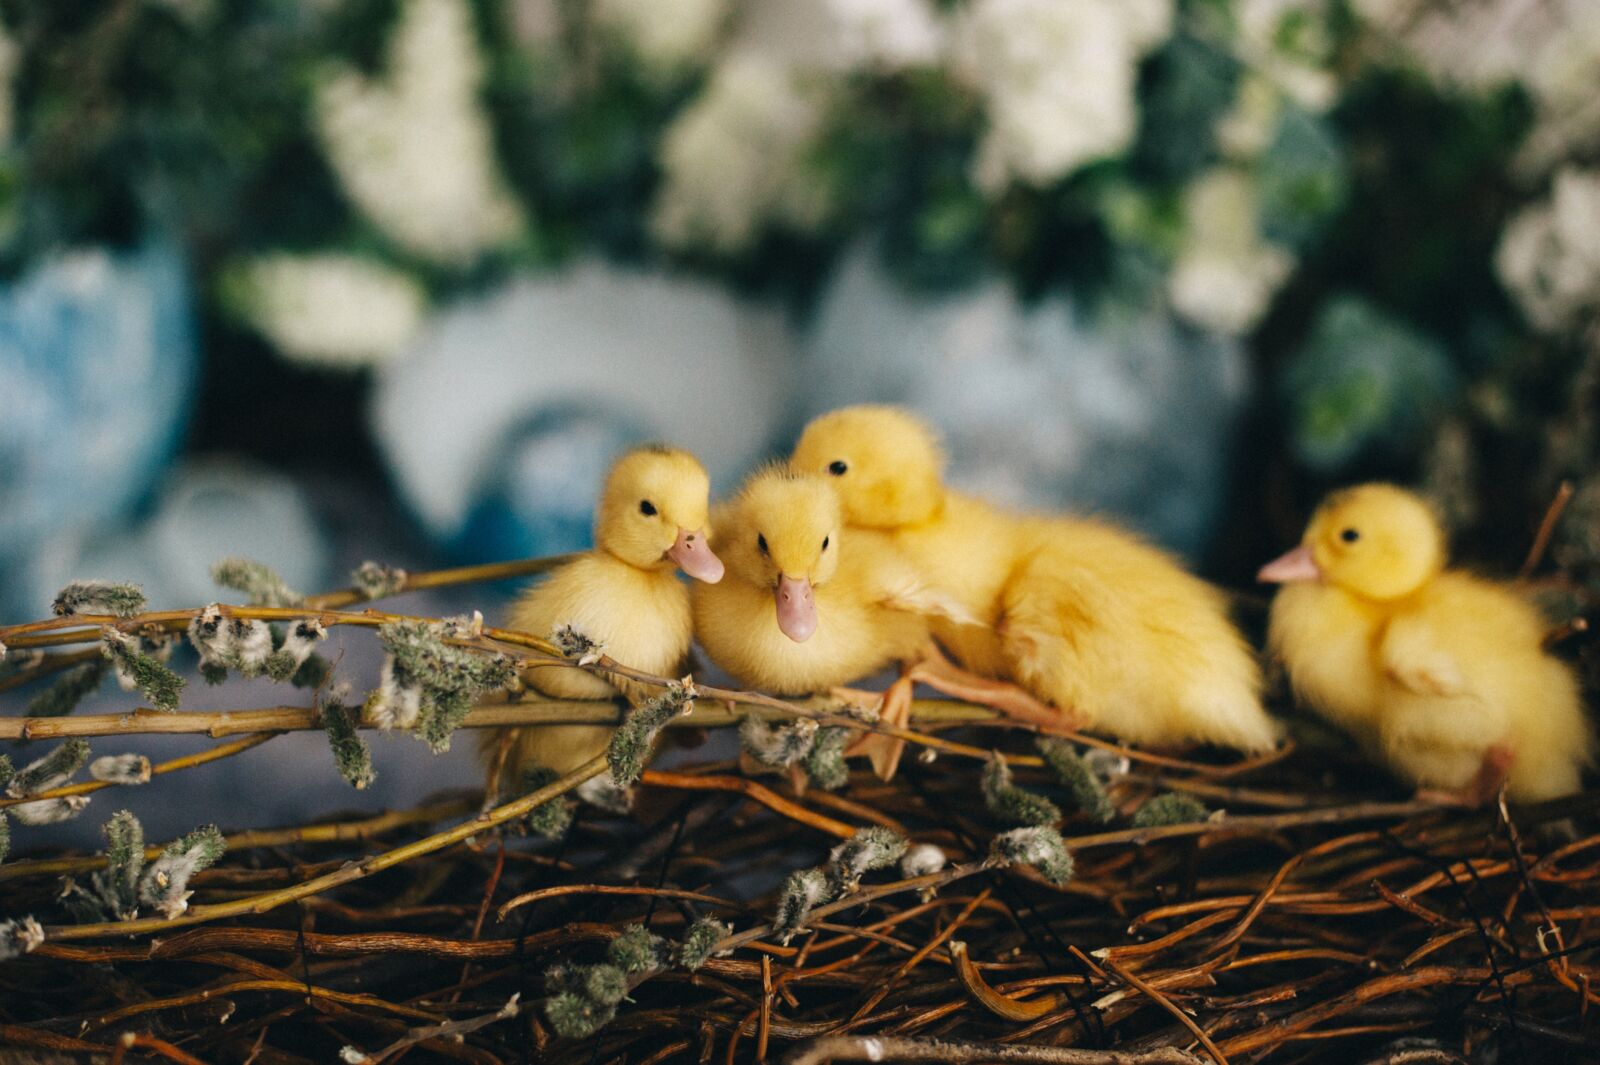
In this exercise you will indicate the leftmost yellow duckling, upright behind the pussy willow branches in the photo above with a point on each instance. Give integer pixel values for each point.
(625, 594)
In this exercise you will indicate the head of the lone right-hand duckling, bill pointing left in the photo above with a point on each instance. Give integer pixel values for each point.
(1378, 541)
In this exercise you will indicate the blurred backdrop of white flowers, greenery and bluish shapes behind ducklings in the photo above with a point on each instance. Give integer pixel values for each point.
(322, 282)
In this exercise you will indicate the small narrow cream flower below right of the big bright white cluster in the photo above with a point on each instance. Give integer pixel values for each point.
(1226, 274)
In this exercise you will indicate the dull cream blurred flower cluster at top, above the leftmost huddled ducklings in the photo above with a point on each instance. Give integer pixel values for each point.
(734, 159)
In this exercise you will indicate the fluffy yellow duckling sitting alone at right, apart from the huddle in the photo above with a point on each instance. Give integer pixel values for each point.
(1438, 672)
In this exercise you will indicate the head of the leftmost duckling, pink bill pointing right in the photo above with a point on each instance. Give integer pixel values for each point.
(654, 513)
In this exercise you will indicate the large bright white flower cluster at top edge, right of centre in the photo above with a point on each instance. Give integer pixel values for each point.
(1058, 81)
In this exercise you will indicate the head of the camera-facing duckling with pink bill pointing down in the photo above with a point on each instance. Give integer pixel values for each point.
(782, 533)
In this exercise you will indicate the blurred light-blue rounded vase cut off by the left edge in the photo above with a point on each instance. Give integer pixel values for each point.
(97, 377)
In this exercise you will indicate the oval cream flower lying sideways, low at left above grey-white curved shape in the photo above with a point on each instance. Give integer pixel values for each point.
(329, 309)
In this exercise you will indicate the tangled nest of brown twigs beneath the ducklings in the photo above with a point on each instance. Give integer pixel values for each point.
(1204, 909)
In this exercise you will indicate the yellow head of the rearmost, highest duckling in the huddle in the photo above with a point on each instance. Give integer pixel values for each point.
(886, 463)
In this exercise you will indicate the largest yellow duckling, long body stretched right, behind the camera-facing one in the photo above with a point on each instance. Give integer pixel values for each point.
(1113, 634)
